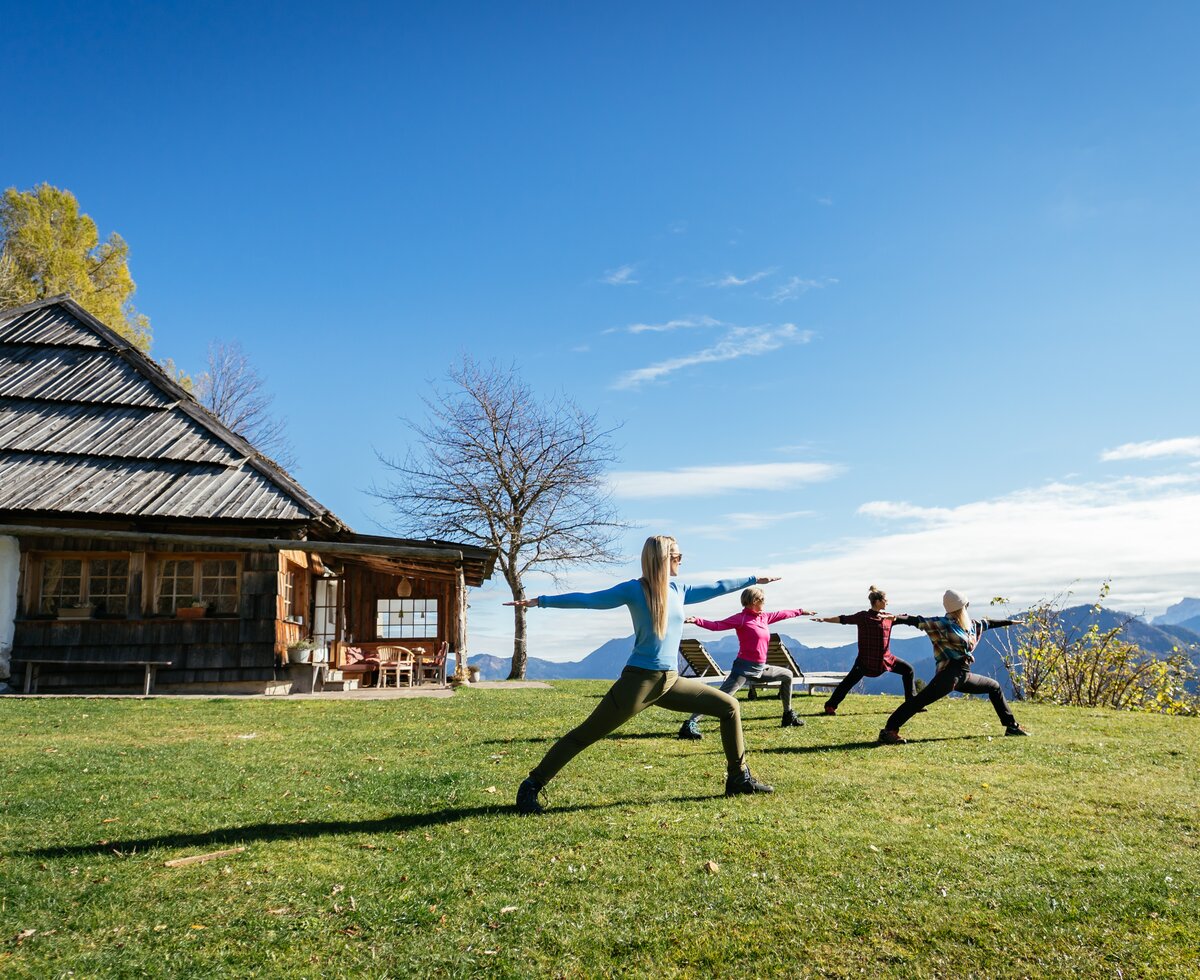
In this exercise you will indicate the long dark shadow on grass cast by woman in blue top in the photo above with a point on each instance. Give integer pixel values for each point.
(233, 837)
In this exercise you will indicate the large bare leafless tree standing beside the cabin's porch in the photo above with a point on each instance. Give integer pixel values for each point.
(499, 467)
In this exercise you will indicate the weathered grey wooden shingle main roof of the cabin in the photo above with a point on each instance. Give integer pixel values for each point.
(89, 426)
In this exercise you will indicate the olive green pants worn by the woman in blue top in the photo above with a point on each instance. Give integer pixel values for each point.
(635, 690)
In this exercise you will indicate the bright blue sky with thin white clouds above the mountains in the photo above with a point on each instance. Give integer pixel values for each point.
(921, 278)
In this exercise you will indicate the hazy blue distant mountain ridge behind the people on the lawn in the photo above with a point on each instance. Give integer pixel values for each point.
(608, 660)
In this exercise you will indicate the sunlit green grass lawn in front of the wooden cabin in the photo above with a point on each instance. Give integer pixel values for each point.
(380, 841)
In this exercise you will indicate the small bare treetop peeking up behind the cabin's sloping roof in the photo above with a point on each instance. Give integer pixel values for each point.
(236, 393)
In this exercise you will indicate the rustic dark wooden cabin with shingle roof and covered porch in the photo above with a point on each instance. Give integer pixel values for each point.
(136, 530)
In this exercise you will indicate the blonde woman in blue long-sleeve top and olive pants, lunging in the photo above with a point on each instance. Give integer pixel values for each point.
(656, 605)
